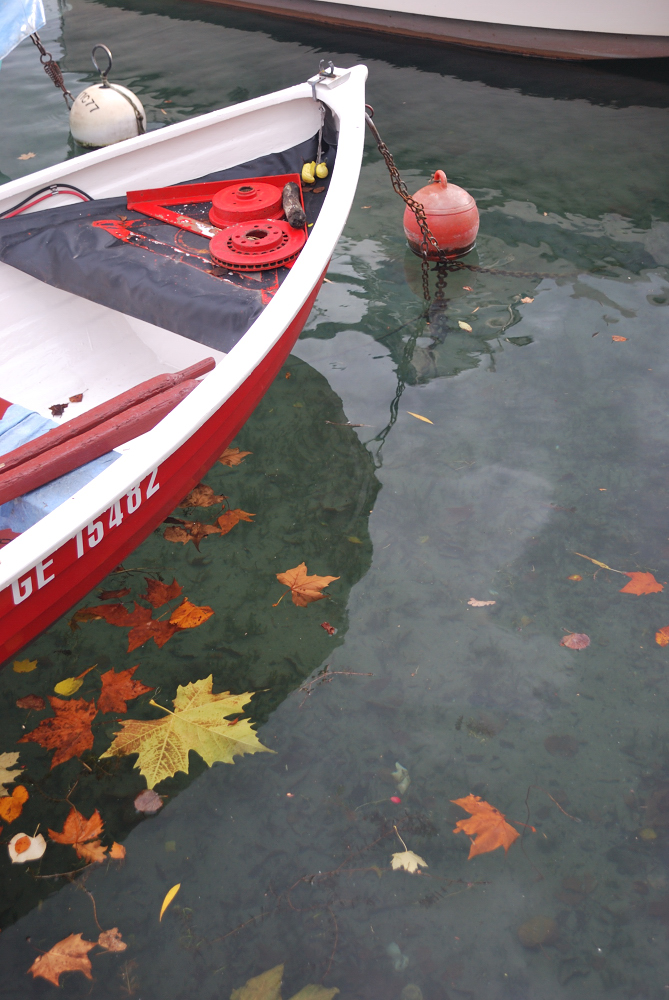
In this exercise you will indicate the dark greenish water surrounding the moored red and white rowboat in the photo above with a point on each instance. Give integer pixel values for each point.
(546, 438)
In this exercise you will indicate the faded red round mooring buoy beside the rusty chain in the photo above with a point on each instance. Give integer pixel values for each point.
(452, 216)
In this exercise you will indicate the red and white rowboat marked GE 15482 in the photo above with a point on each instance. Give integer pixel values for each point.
(57, 343)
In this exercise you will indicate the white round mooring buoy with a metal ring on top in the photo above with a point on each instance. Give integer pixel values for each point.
(106, 112)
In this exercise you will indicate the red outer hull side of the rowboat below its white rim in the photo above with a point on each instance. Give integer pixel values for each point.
(70, 572)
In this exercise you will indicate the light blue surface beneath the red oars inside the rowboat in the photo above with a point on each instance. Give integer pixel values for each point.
(17, 426)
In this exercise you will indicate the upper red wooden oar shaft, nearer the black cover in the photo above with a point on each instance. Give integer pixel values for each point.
(100, 413)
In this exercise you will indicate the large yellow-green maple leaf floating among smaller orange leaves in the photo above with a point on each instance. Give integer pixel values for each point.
(198, 723)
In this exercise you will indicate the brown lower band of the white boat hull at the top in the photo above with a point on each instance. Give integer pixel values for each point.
(547, 43)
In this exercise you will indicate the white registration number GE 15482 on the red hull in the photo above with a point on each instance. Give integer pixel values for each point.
(46, 571)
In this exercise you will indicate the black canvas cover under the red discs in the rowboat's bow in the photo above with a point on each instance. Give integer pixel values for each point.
(175, 286)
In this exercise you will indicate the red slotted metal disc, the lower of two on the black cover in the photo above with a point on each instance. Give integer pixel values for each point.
(257, 245)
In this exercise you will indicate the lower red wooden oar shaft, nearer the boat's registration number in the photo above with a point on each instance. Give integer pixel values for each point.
(93, 443)
